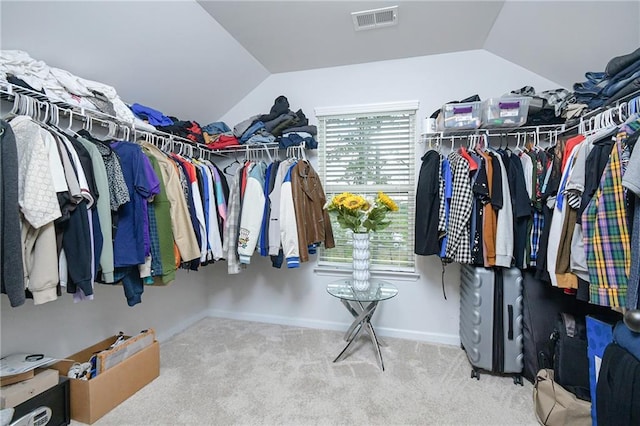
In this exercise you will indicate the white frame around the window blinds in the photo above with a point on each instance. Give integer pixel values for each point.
(411, 109)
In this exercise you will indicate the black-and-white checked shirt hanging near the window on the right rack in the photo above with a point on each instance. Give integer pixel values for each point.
(458, 247)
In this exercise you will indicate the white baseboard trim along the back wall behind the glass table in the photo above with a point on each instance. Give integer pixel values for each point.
(439, 338)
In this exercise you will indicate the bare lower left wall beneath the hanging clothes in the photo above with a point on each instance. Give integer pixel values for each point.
(61, 327)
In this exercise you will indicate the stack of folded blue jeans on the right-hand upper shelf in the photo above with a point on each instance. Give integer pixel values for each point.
(620, 78)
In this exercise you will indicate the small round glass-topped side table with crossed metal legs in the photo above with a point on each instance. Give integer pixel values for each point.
(362, 305)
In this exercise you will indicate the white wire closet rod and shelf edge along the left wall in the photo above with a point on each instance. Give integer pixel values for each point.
(9, 90)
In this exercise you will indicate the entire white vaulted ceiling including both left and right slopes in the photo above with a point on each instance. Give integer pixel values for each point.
(198, 59)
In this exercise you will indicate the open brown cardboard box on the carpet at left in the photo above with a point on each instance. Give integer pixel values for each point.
(93, 398)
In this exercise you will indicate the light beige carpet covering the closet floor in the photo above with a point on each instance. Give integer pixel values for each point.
(223, 372)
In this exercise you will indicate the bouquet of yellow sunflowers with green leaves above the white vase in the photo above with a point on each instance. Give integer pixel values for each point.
(357, 213)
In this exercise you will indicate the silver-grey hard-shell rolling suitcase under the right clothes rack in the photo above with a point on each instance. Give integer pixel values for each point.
(491, 320)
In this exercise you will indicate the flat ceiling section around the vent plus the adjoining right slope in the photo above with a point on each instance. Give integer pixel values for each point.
(559, 40)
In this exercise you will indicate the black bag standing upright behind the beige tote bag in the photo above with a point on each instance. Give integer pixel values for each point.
(570, 359)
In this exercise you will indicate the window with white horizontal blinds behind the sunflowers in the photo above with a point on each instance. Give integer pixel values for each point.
(364, 150)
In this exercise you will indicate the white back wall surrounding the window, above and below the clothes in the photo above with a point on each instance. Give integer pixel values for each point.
(299, 296)
